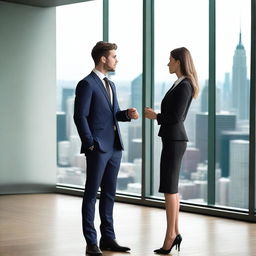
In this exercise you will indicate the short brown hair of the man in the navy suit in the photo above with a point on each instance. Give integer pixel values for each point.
(102, 49)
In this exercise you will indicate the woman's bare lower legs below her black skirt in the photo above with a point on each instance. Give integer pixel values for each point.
(171, 217)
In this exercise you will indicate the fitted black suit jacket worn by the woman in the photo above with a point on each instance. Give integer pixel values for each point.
(174, 108)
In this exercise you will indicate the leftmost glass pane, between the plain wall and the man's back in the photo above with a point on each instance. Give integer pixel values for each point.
(75, 40)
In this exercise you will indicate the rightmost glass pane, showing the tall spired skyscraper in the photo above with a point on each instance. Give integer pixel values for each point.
(232, 107)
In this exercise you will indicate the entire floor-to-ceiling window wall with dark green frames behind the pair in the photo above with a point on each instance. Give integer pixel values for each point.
(215, 168)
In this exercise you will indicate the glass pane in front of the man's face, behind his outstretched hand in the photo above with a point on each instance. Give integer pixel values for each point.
(125, 29)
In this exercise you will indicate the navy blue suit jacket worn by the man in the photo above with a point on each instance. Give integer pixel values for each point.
(95, 118)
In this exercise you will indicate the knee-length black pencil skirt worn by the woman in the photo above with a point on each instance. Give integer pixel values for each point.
(171, 157)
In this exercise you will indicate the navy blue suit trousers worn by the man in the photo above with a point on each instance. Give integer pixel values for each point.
(102, 171)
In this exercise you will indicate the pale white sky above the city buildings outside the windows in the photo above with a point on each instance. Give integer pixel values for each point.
(177, 23)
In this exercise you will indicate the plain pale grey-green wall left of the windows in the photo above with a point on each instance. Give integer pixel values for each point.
(27, 98)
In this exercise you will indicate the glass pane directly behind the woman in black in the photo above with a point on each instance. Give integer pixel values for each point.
(173, 31)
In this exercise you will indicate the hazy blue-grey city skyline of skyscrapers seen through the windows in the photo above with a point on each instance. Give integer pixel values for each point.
(231, 132)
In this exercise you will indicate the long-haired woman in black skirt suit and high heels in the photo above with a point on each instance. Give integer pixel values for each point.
(174, 108)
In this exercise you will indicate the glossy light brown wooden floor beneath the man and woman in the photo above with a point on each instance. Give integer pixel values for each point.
(50, 225)
